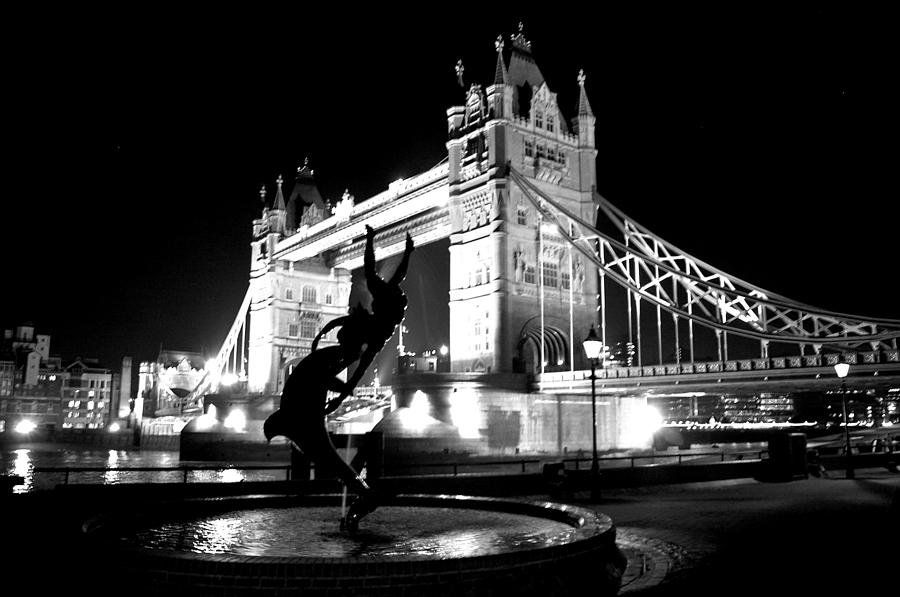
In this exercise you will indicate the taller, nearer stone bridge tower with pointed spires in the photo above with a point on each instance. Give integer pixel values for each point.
(518, 294)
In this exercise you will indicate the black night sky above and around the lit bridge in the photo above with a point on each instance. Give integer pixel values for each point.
(764, 142)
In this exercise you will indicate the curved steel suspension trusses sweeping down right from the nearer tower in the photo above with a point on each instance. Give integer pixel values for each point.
(654, 270)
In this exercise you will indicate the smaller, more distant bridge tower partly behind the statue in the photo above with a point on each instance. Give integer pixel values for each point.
(290, 301)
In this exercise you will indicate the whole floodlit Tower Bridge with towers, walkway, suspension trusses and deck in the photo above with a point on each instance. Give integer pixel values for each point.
(530, 271)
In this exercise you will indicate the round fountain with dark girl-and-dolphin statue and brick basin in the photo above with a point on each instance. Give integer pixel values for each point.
(385, 544)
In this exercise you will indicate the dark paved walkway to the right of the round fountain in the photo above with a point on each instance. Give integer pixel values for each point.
(830, 536)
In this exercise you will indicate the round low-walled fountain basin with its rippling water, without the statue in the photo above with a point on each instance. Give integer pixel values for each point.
(413, 544)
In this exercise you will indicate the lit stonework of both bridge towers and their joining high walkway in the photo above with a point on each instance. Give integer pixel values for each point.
(510, 275)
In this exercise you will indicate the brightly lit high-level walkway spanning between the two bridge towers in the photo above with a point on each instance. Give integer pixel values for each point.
(418, 205)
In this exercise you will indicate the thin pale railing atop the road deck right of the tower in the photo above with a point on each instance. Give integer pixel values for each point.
(734, 365)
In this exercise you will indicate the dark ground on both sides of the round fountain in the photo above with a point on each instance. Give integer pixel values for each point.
(819, 536)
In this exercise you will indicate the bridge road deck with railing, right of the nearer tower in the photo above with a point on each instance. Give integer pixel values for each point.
(878, 370)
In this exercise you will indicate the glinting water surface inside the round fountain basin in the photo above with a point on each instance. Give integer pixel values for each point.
(391, 531)
